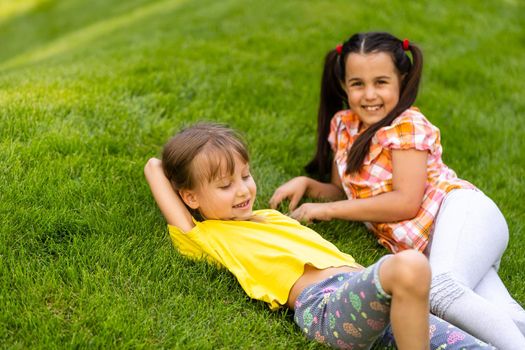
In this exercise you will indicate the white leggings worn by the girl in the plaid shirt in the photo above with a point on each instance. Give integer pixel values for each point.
(469, 238)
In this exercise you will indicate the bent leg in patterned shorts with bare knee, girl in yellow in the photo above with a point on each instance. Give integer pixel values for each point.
(352, 310)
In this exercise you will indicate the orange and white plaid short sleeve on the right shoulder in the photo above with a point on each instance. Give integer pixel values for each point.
(411, 130)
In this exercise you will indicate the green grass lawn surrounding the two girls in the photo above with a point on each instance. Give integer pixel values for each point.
(89, 90)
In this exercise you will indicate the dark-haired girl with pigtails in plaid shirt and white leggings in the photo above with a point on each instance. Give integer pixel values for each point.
(384, 161)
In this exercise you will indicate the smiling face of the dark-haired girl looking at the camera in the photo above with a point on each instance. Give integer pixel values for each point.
(372, 84)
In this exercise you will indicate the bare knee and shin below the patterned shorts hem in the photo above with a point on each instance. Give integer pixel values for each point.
(406, 276)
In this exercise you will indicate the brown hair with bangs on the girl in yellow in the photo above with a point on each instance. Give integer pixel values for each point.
(196, 154)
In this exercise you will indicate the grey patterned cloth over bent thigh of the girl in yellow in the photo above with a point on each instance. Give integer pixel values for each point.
(345, 311)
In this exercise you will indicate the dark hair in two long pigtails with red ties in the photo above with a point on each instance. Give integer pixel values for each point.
(333, 97)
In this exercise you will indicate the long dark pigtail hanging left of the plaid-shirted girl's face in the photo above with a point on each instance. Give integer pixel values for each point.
(332, 100)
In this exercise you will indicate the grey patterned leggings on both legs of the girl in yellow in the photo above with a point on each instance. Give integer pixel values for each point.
(352, 311)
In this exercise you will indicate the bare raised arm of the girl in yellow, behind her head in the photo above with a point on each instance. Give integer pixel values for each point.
(169, 201)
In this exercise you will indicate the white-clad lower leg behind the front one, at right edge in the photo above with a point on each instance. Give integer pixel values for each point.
(492, 288)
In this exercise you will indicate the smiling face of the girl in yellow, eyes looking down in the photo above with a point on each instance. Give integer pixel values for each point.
(227, 196)
